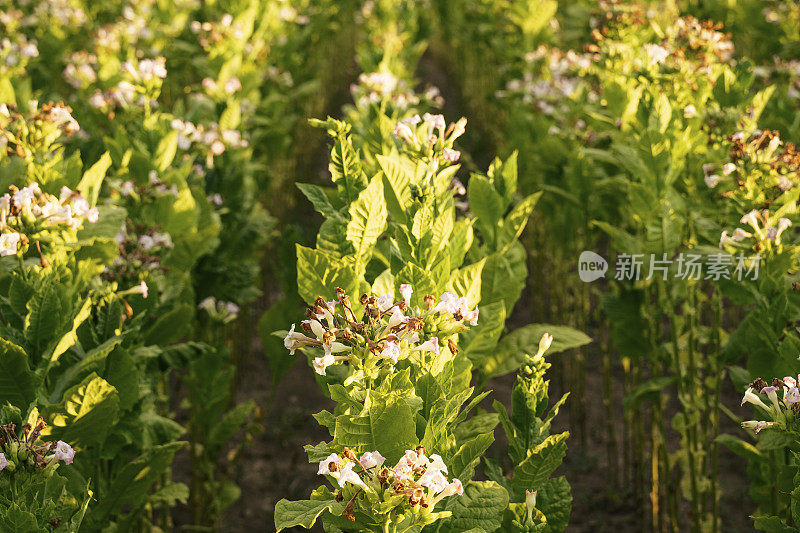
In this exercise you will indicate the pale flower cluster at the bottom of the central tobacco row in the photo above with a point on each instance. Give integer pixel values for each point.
(417, 479)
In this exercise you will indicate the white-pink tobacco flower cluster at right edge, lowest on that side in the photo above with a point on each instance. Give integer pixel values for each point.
(781, 409)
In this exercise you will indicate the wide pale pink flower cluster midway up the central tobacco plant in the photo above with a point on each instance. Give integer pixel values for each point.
(389, 331)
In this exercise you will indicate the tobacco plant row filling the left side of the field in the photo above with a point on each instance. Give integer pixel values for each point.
(139, 142)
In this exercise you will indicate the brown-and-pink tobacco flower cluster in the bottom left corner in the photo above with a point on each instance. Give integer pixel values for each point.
(27, 452)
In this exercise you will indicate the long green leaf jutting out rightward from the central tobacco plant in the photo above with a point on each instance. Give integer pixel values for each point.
(513, 347)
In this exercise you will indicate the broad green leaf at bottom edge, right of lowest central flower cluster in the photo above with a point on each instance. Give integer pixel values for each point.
(482, 505)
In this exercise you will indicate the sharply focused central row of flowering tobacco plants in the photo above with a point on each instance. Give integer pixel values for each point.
(420, 282)
